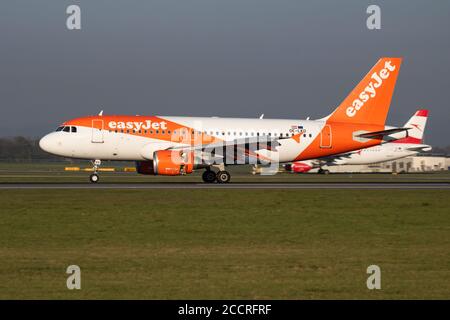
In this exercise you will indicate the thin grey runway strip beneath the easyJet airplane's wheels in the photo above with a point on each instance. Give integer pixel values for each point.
(134, 186)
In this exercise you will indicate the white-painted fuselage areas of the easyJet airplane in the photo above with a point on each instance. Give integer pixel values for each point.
(107, 144)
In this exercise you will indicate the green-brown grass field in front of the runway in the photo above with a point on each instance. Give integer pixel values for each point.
(212, 244)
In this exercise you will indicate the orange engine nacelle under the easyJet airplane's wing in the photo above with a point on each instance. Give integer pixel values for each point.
(173, 162)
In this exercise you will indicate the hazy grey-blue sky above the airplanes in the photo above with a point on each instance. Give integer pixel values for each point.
(237, 58)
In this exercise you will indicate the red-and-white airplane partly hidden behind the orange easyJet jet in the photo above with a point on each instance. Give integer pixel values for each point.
(397, 149)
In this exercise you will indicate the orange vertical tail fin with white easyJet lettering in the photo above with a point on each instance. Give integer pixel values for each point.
(369, 101)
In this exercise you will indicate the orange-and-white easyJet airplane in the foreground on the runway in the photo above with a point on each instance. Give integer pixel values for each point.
(178, 145)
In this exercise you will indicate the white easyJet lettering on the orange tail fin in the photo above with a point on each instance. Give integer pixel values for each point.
(371, 90)
